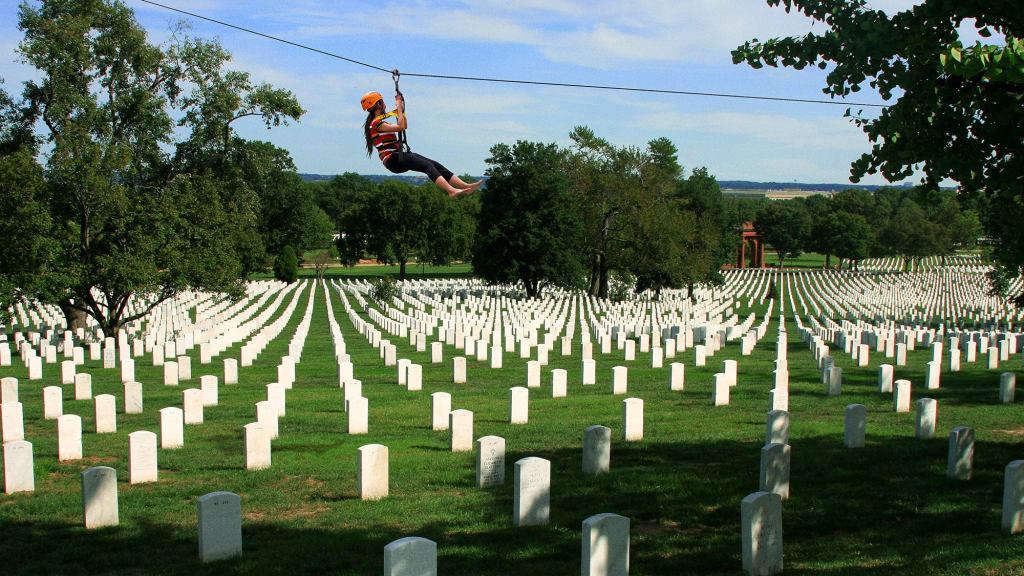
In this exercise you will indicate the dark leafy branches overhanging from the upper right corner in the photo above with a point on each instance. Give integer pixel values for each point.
(956, 110)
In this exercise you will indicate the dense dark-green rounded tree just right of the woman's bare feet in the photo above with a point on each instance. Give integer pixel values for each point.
(529, 230)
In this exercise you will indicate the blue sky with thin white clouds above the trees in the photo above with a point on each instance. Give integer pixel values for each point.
(668, 45)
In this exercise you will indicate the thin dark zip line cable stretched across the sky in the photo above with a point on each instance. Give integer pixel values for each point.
(511, 81)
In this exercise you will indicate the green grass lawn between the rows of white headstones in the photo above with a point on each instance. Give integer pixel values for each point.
(886, 509)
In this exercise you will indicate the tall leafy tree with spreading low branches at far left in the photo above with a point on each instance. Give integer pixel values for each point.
(126, 219)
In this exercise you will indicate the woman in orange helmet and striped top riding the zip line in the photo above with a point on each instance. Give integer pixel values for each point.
(397, 158)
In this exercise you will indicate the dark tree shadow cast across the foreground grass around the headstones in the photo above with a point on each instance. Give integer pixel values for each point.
(682, 500)
